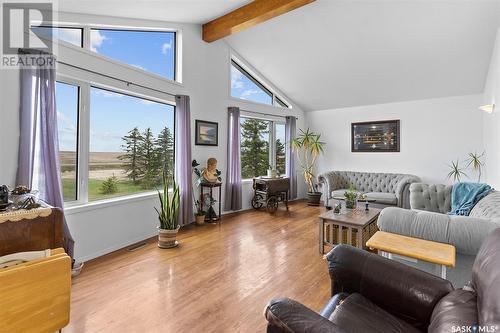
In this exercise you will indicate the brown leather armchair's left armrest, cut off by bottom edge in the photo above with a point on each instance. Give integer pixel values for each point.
(288, 316)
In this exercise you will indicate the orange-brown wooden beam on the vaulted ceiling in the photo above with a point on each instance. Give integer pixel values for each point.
(248, 16)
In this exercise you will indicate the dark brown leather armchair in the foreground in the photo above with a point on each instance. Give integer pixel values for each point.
(374, 294)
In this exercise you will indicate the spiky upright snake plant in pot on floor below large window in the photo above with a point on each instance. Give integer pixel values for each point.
(168, 214)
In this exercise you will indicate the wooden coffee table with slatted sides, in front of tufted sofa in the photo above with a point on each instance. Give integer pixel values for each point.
(357, 221)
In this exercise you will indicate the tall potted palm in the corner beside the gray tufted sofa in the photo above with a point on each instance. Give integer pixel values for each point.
(308, 147)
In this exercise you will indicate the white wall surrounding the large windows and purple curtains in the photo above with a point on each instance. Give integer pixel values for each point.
(99, 229)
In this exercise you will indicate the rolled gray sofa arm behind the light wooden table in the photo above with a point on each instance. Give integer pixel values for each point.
(464, 232)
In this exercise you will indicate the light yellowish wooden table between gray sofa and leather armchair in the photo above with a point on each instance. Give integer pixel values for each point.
(388, 243)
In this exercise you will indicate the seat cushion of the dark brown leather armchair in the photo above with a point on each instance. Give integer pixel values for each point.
(360, 315)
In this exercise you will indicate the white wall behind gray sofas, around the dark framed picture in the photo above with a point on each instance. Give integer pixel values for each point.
(434, 132)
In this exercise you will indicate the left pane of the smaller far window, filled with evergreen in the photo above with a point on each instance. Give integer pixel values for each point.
(254, 147)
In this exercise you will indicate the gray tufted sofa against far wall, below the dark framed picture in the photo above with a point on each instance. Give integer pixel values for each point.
(389, 189)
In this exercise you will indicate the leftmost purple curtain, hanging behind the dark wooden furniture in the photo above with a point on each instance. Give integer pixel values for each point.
(38, 165)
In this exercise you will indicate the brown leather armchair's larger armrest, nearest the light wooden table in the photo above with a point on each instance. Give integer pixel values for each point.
(403, 291)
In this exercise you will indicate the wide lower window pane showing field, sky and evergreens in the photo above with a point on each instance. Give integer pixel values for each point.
(131, 141)
